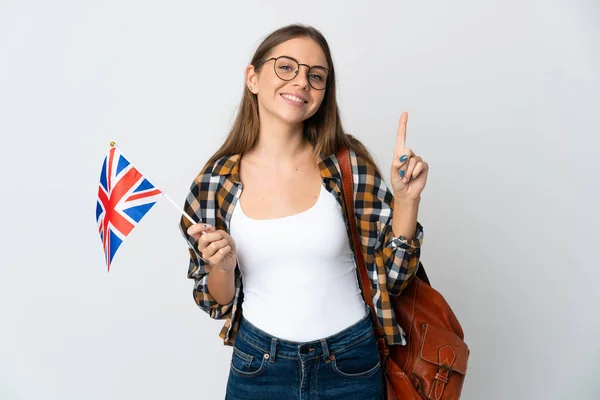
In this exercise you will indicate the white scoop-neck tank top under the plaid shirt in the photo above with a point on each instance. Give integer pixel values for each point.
(298, 272)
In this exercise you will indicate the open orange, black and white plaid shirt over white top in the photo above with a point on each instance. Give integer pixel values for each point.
(391, 261)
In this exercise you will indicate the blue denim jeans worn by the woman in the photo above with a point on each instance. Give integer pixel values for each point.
(342, 366)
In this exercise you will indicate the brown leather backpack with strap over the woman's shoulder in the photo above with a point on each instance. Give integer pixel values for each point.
(433, 364)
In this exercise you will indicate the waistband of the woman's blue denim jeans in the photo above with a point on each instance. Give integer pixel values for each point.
(276, 347)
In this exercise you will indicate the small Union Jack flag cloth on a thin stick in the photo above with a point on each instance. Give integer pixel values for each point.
(124, 197)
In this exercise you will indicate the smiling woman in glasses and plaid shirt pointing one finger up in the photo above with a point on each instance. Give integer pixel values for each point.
(274, 259)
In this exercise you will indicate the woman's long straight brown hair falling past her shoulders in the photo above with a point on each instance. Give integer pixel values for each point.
(323, 130)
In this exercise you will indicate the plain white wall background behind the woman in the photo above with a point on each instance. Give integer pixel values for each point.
(503, 103)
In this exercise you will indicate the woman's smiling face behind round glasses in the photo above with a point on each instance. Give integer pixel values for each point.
(291, 101)
